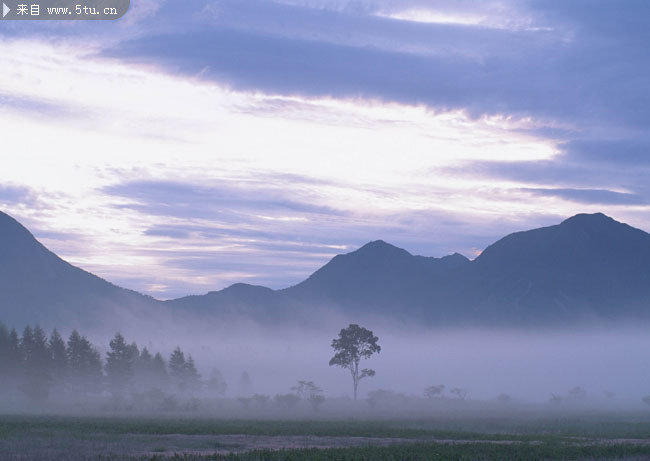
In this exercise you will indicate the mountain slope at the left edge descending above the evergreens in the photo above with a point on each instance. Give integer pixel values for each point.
(38, 286)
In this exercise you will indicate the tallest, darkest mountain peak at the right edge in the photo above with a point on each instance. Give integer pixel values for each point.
(587, 265)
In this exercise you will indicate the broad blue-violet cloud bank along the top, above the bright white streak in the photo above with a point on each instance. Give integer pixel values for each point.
(562, 72)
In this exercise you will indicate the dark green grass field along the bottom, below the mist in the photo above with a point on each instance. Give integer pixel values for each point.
(589, 436)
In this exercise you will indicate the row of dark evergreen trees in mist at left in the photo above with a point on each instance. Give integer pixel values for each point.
(40, 366)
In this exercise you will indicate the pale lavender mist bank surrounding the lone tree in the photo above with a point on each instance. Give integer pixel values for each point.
(527, 365)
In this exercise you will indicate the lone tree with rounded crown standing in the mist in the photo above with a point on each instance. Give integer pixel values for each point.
(353, 344)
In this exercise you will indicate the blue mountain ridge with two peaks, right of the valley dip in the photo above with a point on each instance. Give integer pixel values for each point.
(589, 267)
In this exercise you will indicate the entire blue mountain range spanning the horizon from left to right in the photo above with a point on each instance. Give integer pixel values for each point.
(589, 267)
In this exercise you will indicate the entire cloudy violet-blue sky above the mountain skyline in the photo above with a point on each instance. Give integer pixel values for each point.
(192, 145)
